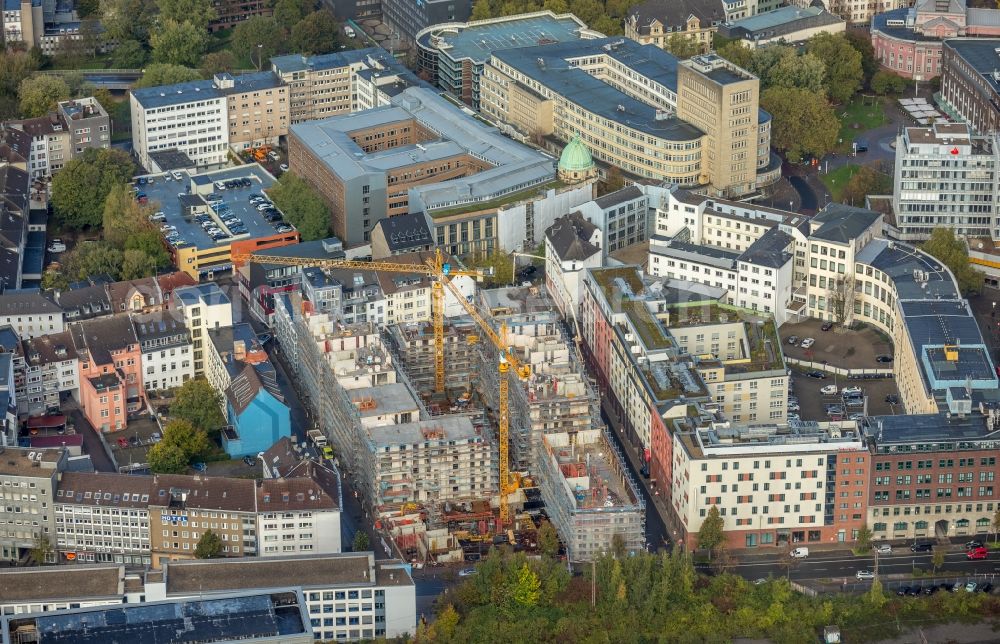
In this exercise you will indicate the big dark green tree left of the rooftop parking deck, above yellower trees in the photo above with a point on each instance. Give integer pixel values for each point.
(80, 188)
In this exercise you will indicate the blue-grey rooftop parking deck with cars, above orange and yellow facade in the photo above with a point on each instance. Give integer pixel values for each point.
(171, 197)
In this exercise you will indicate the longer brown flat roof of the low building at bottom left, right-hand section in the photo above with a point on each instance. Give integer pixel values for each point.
(307, 571)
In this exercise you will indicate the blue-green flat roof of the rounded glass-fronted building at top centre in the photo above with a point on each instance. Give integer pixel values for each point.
(477, 40)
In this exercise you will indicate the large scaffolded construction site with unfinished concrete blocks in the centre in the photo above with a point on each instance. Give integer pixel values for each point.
(453, 463)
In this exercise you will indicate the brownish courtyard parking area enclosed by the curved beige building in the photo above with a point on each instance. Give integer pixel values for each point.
(855, 349)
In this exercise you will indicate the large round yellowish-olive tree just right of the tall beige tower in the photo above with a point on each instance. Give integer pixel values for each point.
(803, 122)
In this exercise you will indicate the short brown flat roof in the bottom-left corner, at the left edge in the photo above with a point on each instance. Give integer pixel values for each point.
(45, 584)
